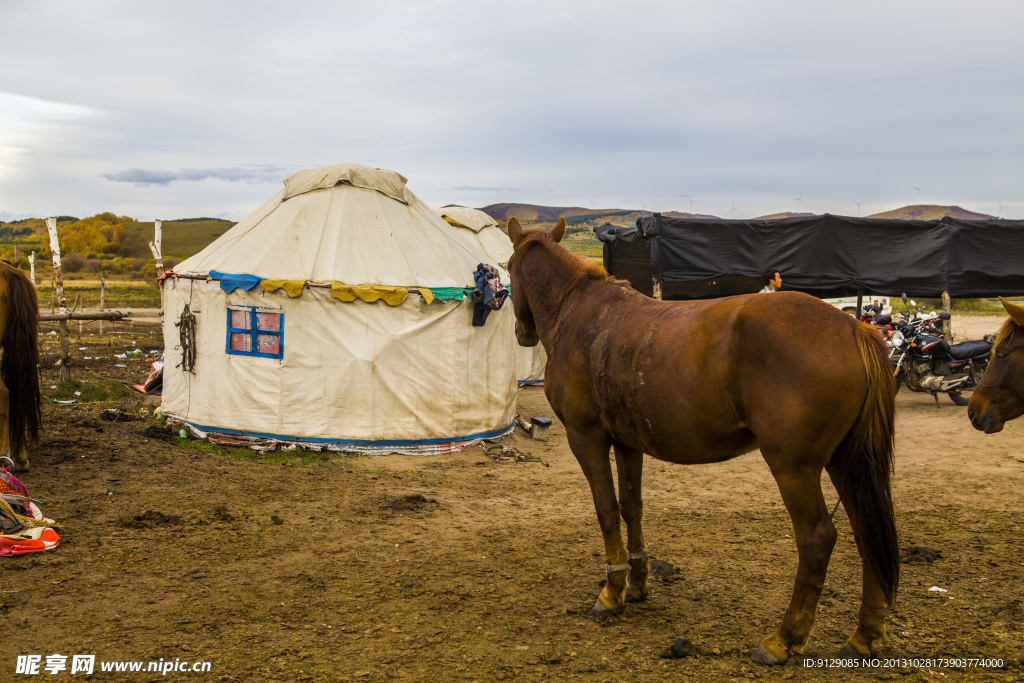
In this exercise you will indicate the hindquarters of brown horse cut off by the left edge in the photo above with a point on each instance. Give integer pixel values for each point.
(20, 416)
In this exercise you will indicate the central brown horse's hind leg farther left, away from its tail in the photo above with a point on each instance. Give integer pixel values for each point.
(816, 537)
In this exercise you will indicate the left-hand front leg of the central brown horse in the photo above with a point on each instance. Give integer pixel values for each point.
(591, 451)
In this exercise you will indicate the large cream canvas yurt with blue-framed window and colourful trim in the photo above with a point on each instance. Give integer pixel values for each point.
(338, 316)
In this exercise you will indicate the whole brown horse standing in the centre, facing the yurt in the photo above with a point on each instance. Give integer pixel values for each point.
(706, 381)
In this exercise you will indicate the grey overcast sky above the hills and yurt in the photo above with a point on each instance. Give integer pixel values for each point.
(192, 109)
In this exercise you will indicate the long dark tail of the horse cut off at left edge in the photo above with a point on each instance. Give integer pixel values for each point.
(21, 359)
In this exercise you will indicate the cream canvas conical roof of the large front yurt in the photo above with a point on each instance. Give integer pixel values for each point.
(347, 224)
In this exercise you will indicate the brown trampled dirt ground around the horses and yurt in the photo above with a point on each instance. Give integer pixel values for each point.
(459, 568)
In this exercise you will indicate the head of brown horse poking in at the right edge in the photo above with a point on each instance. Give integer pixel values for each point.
(1000, 396)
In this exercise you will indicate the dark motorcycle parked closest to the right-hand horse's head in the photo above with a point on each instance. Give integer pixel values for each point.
(924, 362)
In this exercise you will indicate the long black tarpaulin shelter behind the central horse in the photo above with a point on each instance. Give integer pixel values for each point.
(829, 255)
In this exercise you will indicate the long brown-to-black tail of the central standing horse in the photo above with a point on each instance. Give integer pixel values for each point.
(864, 463)
